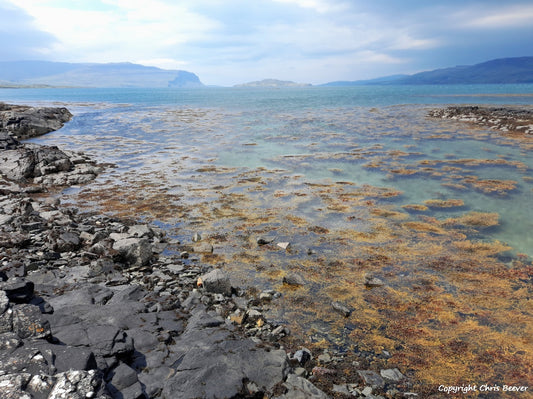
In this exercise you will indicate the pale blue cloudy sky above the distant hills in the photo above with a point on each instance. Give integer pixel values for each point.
(235, 41)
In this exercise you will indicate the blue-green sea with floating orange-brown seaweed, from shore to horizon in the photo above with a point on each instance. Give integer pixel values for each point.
(360, 183)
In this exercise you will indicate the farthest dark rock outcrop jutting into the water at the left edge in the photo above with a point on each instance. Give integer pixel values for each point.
(24, 122)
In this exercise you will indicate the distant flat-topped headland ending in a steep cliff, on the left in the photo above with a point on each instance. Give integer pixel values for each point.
(93, 75)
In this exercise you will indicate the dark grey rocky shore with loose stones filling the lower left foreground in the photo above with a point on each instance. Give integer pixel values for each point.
(95, 307)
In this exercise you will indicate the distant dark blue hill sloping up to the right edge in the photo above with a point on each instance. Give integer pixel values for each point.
(503, 70)
